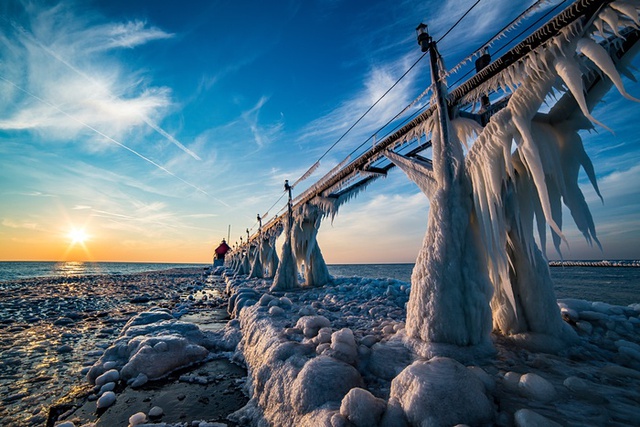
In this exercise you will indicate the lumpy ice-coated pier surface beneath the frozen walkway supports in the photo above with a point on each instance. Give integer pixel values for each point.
(338, 355)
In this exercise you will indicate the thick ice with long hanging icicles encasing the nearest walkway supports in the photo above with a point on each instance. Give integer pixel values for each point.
(512, 191)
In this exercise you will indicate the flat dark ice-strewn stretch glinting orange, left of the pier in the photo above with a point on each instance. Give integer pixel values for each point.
(51, 329)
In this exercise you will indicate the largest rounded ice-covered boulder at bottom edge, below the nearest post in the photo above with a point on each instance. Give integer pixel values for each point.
(441, 391)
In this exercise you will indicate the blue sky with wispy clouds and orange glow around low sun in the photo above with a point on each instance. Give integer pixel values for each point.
(145, 130)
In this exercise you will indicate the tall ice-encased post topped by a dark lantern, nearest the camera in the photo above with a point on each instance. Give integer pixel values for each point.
(450, 290)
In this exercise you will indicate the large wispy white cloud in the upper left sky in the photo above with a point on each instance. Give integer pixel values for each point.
(59, 76)
